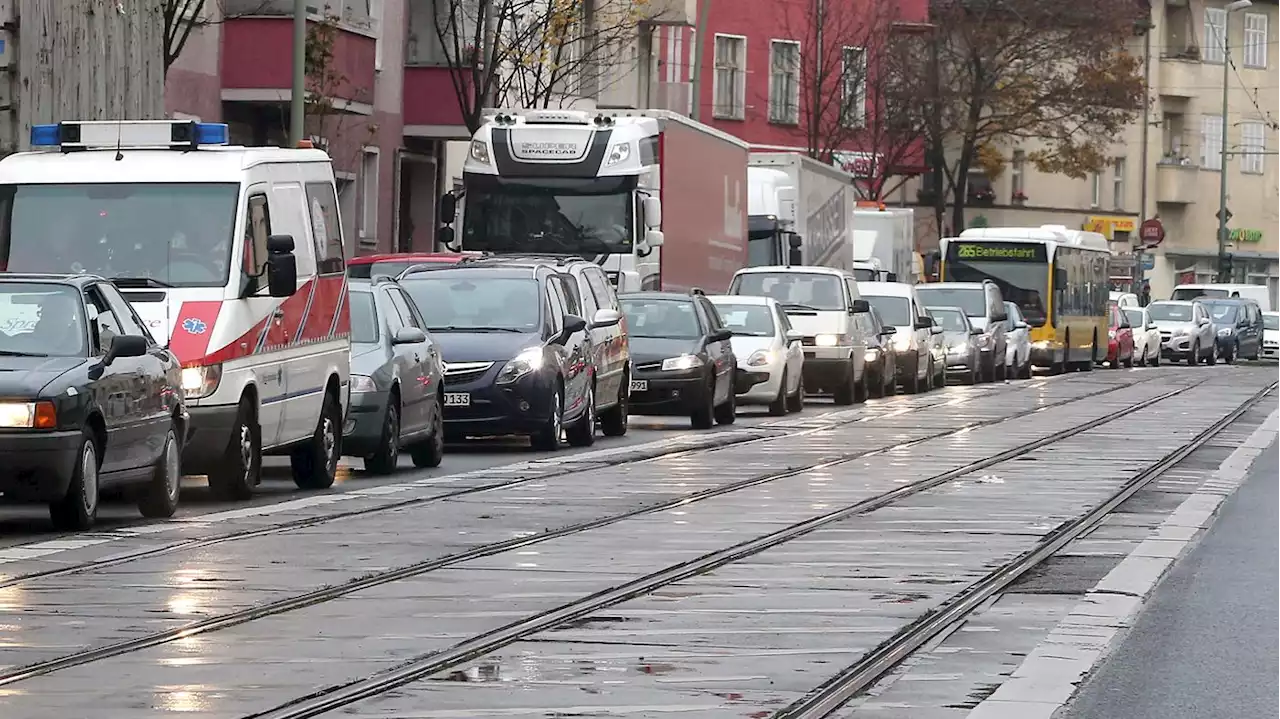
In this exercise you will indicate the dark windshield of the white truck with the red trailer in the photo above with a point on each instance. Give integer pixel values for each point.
(557, 216)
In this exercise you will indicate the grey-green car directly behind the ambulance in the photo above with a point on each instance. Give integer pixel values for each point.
(397, 381)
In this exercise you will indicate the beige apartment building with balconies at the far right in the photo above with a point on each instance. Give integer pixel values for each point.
(1183, 157)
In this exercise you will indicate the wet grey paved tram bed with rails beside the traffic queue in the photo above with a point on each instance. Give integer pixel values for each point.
(708, 575)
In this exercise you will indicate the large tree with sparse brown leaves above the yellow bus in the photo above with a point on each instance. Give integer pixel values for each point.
(1003, 72)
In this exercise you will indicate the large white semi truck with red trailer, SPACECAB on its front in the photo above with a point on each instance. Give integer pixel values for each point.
(656, 199)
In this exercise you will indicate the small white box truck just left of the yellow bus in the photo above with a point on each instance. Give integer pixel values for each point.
(885, 244)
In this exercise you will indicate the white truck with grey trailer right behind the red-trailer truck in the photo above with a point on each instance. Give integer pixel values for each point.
(801, 212)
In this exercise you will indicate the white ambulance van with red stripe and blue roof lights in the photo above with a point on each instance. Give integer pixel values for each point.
(234, 255)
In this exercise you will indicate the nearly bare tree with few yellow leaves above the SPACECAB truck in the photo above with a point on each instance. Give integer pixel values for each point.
(532, 53)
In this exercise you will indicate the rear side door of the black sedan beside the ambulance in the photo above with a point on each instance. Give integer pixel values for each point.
(157, 387)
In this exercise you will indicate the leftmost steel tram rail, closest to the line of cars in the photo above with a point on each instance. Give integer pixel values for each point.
(572, 468)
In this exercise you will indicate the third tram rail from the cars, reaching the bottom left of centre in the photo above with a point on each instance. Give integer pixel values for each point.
(436, 663)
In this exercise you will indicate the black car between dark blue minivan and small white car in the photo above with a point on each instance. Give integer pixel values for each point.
(683, 356)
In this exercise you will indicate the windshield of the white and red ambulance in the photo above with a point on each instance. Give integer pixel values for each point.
(176, 235)
